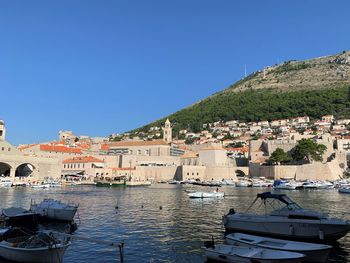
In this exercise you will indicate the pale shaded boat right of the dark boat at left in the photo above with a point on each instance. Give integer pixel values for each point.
(54, 209)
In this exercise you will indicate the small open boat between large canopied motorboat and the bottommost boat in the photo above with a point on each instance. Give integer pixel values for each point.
(313, 252)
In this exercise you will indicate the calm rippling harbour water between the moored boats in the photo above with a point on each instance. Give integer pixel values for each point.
(160, 223)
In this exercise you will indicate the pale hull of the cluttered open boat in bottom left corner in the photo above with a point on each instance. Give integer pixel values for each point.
(33, 255)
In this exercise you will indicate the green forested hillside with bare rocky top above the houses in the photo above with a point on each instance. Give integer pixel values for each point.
(313, 87)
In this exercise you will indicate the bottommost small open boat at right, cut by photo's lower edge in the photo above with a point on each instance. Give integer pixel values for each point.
(238, 254)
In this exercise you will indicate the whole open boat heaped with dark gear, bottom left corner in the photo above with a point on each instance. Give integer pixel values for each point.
(40, 248)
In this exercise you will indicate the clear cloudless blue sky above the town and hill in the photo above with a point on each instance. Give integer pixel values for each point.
(105, 66)
